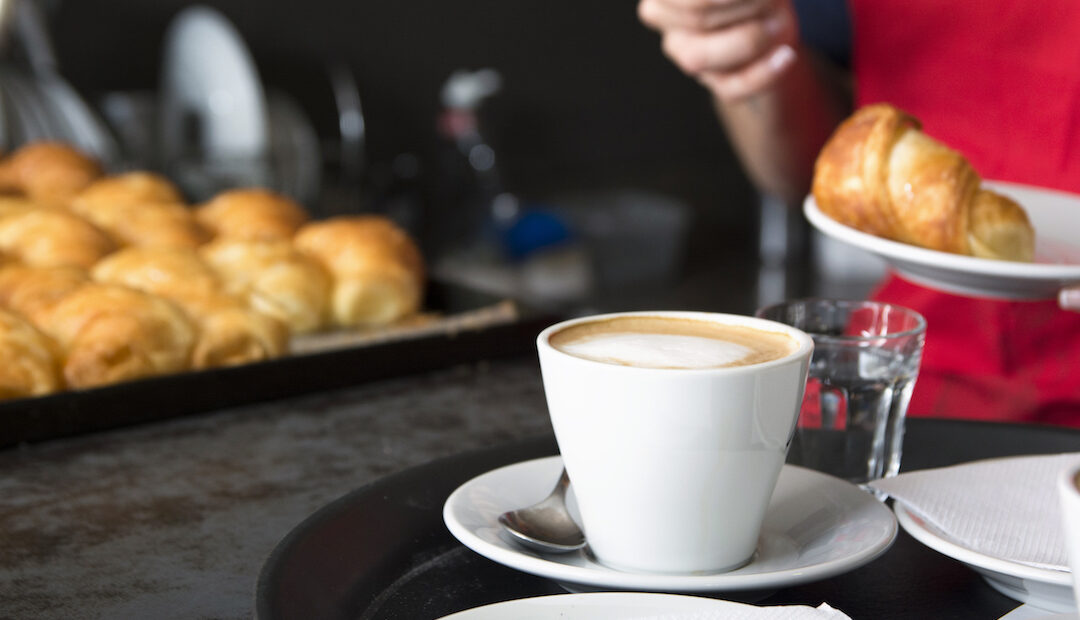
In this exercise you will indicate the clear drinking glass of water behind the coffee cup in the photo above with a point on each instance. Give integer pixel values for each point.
(866, 362)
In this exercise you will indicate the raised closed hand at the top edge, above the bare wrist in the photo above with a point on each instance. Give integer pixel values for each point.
(735, 48)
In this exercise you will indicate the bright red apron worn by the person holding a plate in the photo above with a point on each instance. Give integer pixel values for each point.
(1001, 83)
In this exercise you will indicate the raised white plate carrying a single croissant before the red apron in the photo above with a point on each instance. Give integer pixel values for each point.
(1055, 215)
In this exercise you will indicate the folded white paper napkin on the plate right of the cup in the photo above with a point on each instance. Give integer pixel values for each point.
(1002, 508)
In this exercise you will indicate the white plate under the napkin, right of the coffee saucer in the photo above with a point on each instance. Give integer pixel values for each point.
(1050, 590)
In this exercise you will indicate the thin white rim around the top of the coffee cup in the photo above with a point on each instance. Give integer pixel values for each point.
(805, 342)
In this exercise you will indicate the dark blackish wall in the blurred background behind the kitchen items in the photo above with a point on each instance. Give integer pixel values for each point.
(588, 102)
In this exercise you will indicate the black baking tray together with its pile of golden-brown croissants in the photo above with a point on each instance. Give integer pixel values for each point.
(120, 304)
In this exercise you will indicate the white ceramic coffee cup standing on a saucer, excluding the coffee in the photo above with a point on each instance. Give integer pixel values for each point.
(673, 469)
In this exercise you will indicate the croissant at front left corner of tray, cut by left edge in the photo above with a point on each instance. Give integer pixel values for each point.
(29, 359)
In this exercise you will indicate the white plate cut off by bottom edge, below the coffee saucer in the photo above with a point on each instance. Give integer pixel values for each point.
(602, 606)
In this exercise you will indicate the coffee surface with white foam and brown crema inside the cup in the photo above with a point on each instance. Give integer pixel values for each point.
(669, 343)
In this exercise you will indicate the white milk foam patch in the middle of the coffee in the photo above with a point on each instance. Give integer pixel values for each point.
(659, 351)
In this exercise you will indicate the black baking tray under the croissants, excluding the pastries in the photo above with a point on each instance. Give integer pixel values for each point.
(460, 326)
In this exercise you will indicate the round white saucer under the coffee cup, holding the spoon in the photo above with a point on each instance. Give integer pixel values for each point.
(817, 527)
